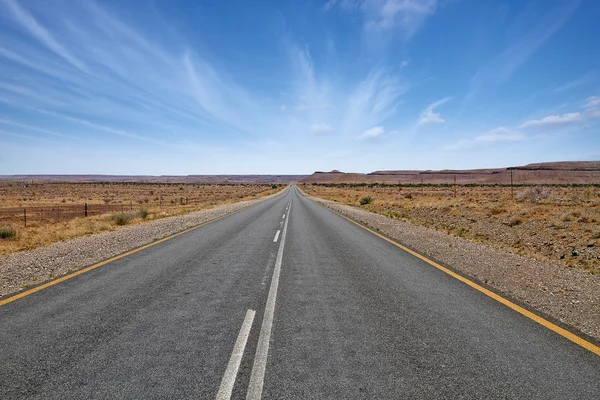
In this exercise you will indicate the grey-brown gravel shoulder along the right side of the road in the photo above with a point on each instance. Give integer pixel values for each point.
(568, 295)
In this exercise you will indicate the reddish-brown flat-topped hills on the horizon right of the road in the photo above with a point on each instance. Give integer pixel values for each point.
(567, 172)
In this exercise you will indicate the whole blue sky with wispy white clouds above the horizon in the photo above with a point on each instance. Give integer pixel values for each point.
(198, 87)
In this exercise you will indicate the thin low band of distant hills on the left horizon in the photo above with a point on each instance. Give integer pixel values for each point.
(159, 179)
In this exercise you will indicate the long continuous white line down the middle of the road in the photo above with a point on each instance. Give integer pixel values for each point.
(257, 376)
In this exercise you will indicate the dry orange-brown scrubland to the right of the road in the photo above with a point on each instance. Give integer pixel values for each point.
(554, 223)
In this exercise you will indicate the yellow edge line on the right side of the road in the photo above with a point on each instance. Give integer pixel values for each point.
(542, 321)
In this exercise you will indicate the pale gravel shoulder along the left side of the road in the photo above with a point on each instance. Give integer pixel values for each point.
(28, 268)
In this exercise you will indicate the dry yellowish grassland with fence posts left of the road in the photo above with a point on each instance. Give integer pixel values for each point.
(140, 202)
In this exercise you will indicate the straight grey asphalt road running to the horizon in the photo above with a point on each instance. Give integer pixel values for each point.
(283, 300)
